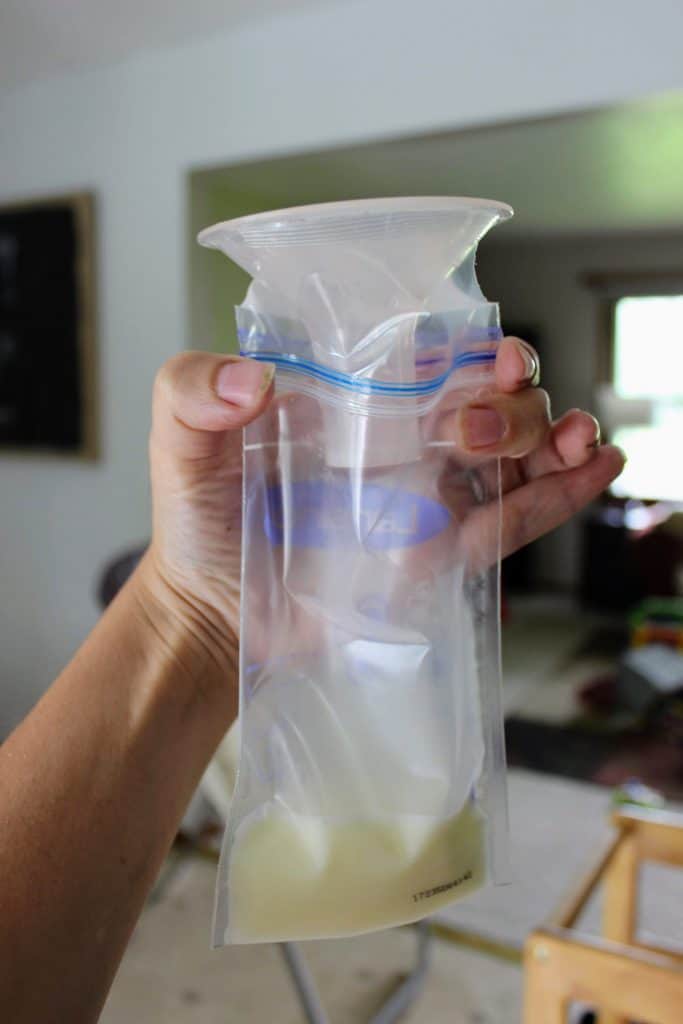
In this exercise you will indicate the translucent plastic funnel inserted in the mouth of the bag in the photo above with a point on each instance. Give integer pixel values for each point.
(357, 279)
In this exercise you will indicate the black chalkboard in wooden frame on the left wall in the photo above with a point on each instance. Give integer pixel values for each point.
(48, 328)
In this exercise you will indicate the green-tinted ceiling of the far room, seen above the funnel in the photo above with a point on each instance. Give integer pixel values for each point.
(618, 169)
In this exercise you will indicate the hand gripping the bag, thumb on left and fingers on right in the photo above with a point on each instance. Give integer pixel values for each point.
(549, 473)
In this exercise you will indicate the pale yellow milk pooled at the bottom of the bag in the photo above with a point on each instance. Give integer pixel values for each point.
(295, 877)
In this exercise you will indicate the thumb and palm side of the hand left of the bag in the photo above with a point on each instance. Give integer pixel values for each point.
(193, 567)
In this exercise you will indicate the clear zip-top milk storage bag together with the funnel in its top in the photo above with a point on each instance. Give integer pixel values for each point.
(371, 786)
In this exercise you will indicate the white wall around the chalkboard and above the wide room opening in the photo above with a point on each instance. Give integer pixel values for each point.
(352, 72)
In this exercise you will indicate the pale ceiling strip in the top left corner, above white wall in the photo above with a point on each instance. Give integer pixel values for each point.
(46, 38)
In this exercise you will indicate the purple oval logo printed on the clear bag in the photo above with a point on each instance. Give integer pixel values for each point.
(324, 515)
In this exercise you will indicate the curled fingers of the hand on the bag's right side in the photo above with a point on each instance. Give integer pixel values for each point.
(549, 471)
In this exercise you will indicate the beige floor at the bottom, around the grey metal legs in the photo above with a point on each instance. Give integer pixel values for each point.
(170, 976)
